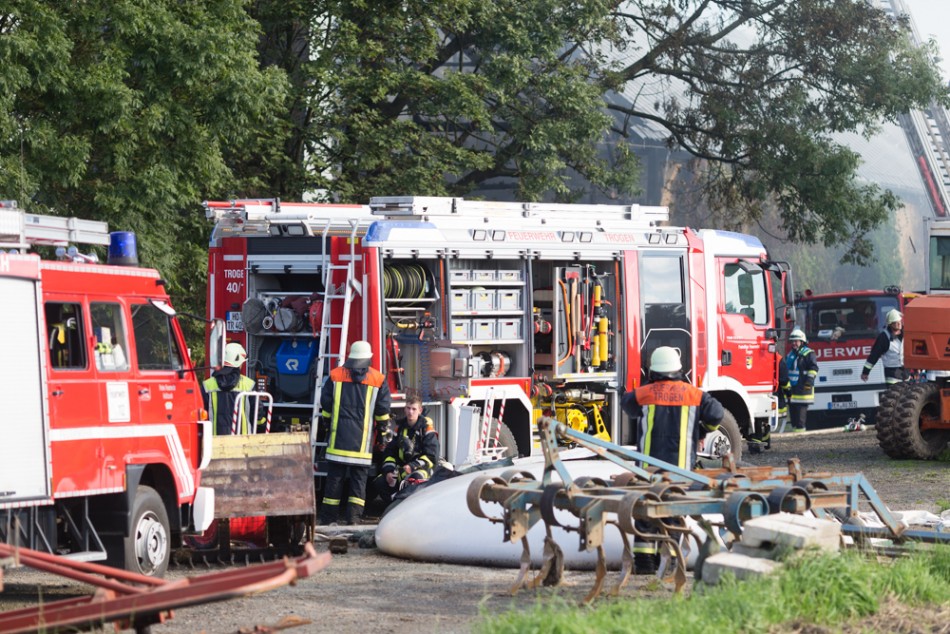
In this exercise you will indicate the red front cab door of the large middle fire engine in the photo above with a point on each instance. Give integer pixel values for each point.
(744, 315)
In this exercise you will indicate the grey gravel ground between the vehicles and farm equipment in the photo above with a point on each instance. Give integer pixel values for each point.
(365, 591)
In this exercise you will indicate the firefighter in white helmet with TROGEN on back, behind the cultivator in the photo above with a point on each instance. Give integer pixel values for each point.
(672, 416)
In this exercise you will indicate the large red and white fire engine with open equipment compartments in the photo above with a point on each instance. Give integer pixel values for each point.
(496, 313)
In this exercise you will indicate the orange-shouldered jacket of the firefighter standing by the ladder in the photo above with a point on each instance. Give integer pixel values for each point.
(350, 401)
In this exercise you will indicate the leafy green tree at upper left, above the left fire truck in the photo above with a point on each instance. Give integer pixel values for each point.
(132, 113)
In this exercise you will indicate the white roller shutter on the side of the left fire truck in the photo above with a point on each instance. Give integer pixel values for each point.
(25, 471)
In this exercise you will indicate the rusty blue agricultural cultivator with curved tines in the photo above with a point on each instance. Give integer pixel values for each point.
(651, 500)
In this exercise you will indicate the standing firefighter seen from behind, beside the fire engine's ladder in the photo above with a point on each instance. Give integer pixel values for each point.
(354, 403)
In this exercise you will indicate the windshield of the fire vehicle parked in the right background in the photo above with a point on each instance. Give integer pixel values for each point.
(845, 317)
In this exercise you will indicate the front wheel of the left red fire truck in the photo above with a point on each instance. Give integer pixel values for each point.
(148, 548)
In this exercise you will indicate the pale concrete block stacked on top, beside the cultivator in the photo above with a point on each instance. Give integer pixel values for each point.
(791, 531)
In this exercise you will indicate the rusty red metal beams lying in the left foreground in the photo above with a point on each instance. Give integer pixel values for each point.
(135, 601)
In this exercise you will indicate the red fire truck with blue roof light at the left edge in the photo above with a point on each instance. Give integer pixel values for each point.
(108, 436)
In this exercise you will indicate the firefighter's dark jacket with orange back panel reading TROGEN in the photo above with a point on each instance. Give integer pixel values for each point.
(672, 416)
